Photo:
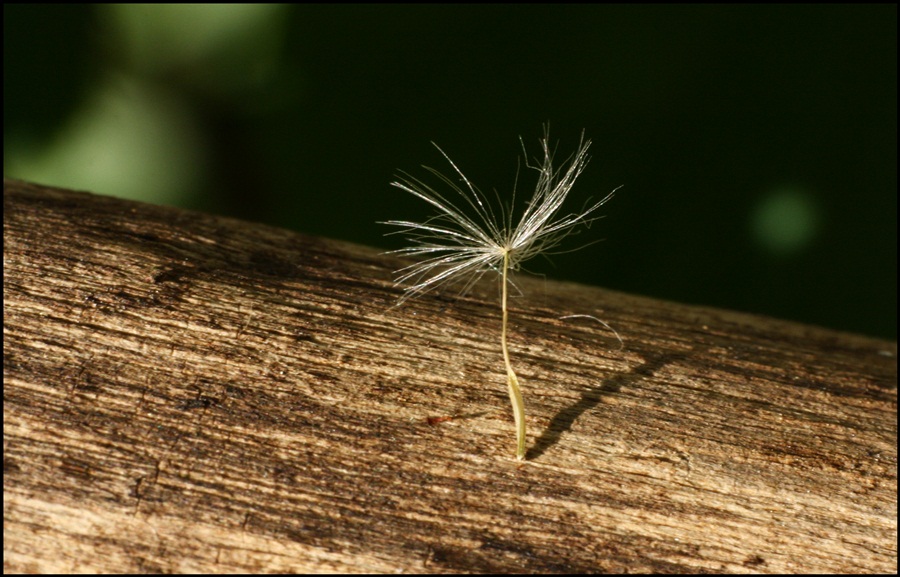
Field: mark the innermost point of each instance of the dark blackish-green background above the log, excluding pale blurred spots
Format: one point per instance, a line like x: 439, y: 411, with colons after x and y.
x: 702, y: 113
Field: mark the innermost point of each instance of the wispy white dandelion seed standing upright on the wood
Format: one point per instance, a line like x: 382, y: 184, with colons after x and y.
x: 470, y: 236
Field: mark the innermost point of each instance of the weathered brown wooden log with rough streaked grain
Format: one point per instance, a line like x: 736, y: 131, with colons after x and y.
x: 190, y: 393
